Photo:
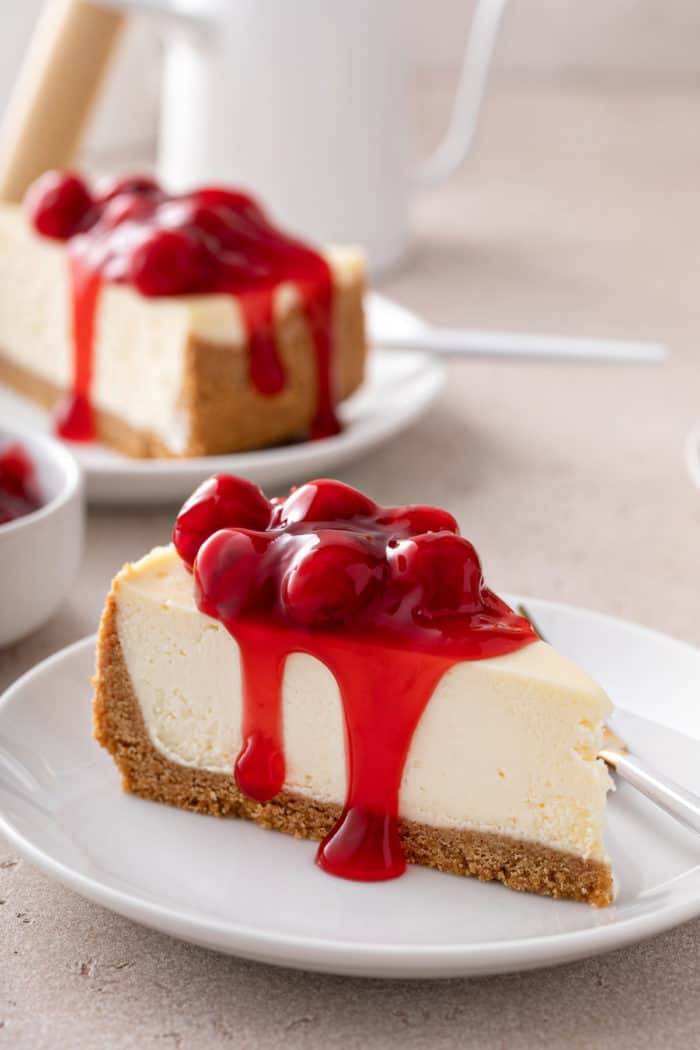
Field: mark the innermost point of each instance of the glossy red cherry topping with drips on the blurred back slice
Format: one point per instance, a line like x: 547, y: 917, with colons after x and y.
x: 211, y: 241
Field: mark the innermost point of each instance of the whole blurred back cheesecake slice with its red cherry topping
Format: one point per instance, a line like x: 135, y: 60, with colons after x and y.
x: 175, y: 326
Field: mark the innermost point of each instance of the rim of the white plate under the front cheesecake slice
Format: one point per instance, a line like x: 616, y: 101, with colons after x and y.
x: 363, y: 958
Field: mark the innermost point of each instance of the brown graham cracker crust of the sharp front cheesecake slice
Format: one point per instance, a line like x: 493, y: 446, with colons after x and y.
x: 120, y: 728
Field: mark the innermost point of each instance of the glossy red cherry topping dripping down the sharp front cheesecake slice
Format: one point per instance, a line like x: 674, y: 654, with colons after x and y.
x: 389, y: 599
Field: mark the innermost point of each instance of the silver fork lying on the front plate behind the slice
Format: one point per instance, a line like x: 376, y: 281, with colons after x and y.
x: 671, y: 797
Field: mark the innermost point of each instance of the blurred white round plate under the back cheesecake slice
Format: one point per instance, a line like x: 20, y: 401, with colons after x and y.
x: 399, y: 388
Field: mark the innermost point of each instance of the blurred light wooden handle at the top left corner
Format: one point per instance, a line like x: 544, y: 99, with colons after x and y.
x: 54, y: 94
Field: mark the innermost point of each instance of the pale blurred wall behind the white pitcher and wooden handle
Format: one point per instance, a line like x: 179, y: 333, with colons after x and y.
x: 634, y: 44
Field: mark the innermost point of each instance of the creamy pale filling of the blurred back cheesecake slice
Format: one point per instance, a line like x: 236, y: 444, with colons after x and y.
x: 141, y: 344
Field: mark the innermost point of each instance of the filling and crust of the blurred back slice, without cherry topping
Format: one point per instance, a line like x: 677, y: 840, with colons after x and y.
x: 208, y: 406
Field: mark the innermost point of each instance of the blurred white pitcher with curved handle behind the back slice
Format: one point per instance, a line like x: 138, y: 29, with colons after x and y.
x: 304, y: 103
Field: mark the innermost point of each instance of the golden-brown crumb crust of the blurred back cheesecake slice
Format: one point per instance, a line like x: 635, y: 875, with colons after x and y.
x: 224, y: 413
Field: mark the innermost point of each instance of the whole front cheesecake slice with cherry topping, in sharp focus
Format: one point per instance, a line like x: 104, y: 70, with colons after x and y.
x: 338, y: 671
